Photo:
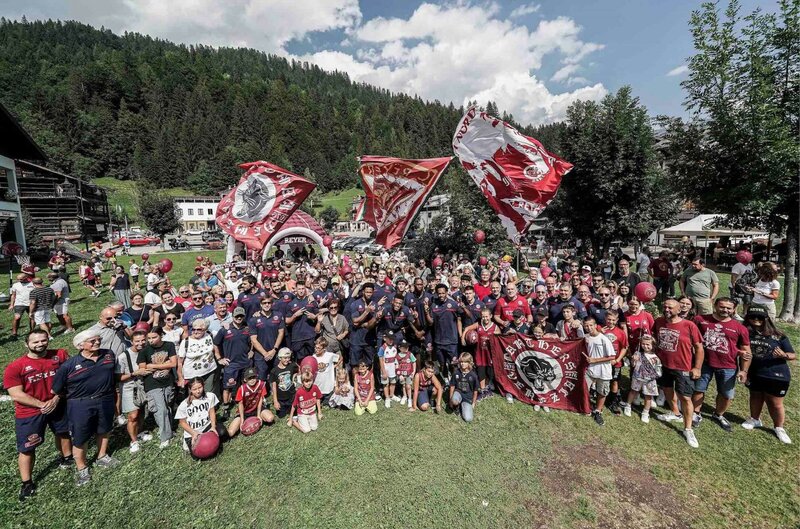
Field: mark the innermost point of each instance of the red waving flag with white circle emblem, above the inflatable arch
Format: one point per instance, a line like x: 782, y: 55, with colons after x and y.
x: 264, y: 199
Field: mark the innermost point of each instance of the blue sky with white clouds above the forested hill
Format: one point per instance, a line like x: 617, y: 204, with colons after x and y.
x: 532, y: 58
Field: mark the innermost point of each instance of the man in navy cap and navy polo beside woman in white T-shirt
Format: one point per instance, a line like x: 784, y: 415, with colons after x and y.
x: 232, y: 350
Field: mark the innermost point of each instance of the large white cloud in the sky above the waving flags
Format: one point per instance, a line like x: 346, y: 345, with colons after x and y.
x: 464, y: 52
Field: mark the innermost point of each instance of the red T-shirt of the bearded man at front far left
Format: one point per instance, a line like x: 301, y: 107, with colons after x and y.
x: 35, y: 375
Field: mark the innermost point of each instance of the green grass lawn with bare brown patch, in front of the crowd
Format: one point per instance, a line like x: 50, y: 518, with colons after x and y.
x: 512, y: 467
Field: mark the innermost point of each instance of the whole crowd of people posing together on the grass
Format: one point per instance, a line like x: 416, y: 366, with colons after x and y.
x: 284, y: 340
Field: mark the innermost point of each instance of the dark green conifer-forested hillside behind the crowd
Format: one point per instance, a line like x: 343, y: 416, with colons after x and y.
x: 134, y: 107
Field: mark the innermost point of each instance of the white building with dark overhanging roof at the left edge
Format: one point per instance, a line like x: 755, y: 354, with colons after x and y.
x: 16, y: 144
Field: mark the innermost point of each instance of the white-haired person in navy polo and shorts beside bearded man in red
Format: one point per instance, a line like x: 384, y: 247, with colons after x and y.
x: 87, y: 381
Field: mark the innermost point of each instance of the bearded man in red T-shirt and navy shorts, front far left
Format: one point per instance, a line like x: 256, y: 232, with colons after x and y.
x: 28, y: 380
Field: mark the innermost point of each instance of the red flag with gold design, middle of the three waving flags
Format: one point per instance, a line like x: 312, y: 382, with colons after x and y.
x: 396, y: 188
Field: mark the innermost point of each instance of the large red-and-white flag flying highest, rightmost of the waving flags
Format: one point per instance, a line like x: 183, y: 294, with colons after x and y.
x: 515, y: 173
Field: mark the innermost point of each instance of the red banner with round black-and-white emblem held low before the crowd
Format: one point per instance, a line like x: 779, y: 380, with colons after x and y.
x: 546, y: 372
